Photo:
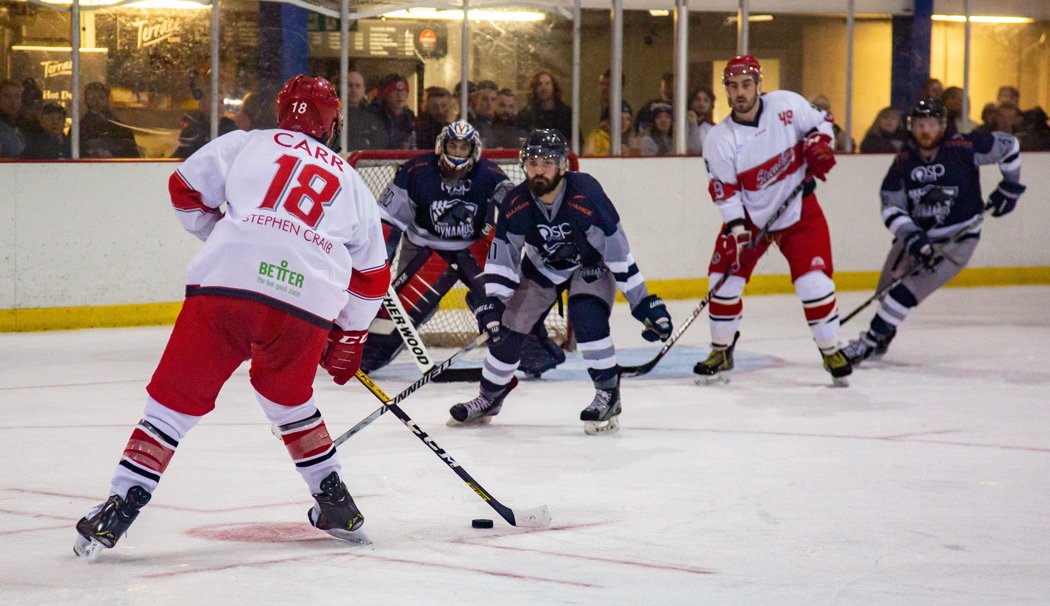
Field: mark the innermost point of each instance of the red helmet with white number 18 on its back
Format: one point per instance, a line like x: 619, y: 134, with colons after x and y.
x: 309, y: 106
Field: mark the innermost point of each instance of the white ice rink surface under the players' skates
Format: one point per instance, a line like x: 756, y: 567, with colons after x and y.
x: 925, y: 483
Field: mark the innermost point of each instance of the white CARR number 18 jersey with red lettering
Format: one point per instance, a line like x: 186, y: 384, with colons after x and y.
x: 301, y: 233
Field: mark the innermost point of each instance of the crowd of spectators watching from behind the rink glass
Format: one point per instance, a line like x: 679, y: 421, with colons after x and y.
x: 380, y: 117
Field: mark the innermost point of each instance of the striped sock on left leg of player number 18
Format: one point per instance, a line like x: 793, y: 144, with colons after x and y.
x: 151, y: 448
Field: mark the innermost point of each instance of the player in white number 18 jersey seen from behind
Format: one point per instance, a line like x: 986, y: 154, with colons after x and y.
x: 289, y: 277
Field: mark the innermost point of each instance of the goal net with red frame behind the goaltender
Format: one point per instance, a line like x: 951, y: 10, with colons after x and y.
x: 453, y: 325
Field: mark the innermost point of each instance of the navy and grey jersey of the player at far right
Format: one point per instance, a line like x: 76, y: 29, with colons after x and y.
x: 942, y: 194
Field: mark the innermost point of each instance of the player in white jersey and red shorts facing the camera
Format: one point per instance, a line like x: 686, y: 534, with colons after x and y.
x: 763, y: 156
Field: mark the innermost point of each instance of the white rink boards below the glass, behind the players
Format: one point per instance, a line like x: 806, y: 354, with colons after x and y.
x: 104, y: 234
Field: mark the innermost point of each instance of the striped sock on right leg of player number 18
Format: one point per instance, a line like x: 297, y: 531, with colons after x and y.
x: 303, y: 430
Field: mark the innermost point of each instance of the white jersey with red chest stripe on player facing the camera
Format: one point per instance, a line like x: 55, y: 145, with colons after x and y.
x: 755, y: 166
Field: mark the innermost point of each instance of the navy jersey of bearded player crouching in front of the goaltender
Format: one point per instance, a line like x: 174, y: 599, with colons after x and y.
x: 582, y: 229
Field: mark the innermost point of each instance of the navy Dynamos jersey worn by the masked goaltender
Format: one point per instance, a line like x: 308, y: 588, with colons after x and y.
x: 443, y: 214
